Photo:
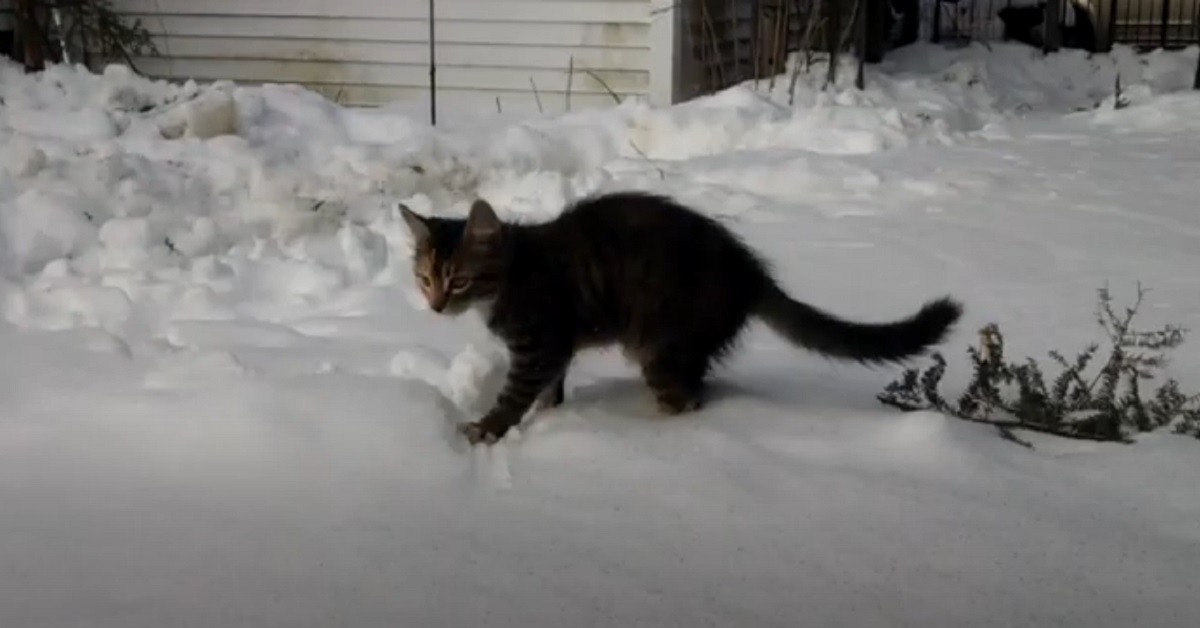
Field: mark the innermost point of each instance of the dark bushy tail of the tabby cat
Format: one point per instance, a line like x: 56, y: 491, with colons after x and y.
x: 868, y: 343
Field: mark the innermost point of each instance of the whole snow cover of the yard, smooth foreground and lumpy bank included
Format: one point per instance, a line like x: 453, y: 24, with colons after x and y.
x: 221, y: 404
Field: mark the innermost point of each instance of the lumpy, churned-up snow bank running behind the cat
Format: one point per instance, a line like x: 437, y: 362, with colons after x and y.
x: 136, y: 186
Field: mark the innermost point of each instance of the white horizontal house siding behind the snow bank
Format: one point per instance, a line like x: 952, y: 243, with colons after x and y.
x: 369, y: 52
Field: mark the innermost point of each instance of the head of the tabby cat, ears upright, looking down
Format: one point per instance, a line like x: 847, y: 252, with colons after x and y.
x: 457, y: 262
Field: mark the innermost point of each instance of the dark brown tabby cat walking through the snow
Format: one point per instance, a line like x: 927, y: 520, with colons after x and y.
x: 671, y: 286
